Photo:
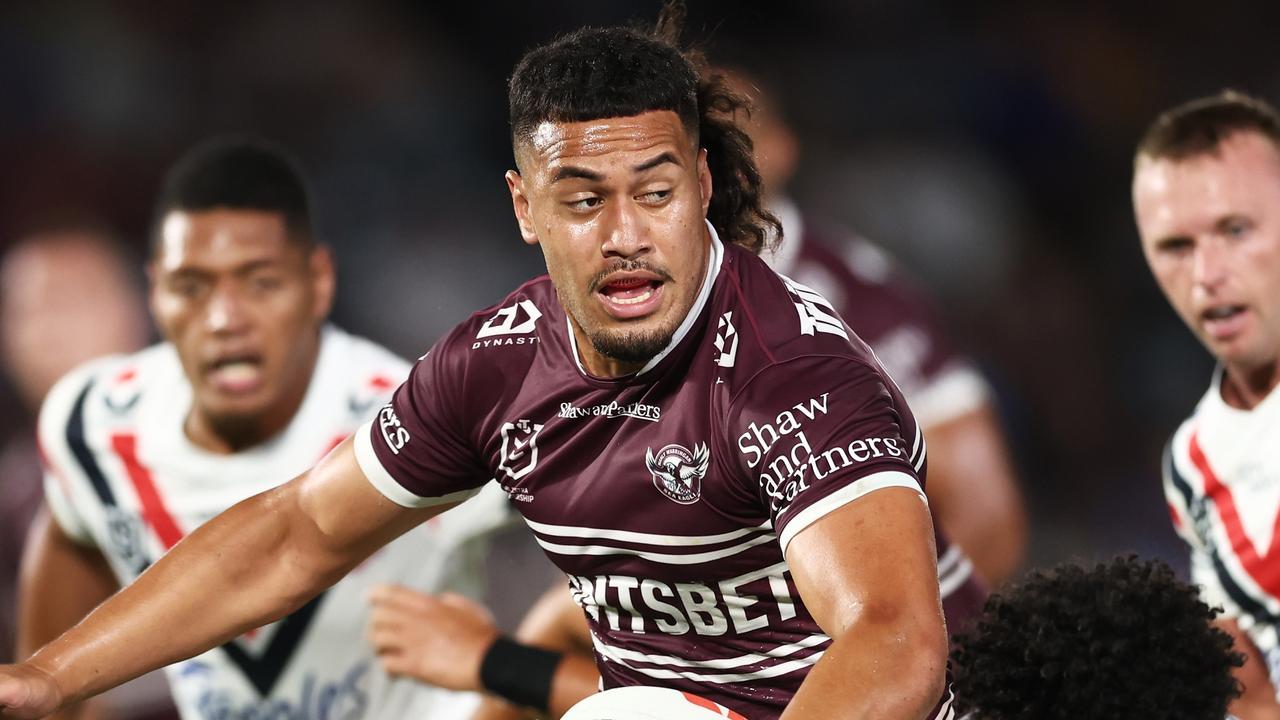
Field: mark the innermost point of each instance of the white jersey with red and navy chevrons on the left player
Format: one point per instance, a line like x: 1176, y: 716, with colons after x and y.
x: 124, y: 477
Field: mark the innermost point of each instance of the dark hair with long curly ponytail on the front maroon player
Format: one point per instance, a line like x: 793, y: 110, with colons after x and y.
x: 618, y: 72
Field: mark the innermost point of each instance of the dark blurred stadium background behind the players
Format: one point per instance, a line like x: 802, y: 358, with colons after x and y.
x: 988, y: 147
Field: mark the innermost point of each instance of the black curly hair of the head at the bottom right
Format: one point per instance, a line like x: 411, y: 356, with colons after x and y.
x: 1123, y: 641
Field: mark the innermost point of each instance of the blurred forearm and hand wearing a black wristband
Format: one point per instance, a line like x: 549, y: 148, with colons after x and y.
x: 447, y: 640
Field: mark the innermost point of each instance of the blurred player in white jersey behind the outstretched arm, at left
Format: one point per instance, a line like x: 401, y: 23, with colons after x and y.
x: 252, y: 388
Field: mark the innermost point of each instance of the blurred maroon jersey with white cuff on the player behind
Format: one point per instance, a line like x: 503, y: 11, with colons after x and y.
x: 899, y: 323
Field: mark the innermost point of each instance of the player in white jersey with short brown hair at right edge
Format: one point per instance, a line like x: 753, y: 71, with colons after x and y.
x: 1206, y: 194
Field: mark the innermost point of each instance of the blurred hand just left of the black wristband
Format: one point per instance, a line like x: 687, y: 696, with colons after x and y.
x: 438, y: 640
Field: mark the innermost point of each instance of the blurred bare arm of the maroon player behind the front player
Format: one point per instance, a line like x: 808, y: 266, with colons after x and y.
x: 975, y: 494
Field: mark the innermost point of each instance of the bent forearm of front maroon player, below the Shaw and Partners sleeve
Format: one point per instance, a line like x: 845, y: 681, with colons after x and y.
x: 884, y: 672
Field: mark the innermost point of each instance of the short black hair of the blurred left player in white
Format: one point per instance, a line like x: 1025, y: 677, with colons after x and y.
x: 239, y: 174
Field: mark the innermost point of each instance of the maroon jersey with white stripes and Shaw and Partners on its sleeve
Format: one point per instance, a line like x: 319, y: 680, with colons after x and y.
x: 669, y: 498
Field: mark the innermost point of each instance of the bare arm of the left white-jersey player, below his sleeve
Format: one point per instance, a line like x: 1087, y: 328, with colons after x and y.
x: 62, y: 581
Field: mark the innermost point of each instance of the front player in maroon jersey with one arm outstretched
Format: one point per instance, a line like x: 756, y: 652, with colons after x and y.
x: 732, y: 484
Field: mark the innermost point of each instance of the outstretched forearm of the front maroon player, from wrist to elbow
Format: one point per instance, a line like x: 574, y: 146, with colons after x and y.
x: 241, y: 571
